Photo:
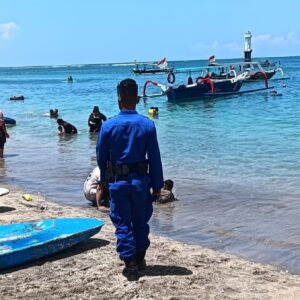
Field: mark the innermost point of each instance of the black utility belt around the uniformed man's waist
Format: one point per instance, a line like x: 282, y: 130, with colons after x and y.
x: 122, y: 171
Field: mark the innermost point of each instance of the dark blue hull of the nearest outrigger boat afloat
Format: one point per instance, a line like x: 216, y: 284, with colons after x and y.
x: 199, y: 91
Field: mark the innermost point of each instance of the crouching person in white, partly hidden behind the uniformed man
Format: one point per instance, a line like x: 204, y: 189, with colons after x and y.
x: 93, y: 193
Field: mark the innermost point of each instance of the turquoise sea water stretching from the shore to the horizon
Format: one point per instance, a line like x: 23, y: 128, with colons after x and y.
x: 234, y: 161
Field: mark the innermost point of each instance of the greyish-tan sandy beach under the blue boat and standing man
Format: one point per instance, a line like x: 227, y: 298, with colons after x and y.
x: 92, y: 270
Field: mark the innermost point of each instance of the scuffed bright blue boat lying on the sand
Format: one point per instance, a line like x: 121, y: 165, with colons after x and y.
x: 24, y: 242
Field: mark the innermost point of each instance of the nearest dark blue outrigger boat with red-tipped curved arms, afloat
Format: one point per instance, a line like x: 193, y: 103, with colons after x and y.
x: 224, y: 83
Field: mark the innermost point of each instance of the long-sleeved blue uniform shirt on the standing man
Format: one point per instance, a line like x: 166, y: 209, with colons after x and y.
x: 130, y: 138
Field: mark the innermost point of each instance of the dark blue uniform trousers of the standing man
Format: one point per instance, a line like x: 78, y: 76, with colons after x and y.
x: 131, y: 210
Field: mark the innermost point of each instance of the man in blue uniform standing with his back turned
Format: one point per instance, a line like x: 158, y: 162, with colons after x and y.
x: 129, y: 142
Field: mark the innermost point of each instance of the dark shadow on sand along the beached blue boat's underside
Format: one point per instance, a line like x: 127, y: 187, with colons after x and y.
x: 90, y: 244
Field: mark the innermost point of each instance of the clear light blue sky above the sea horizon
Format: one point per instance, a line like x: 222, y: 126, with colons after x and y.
x: 53, y: 32
